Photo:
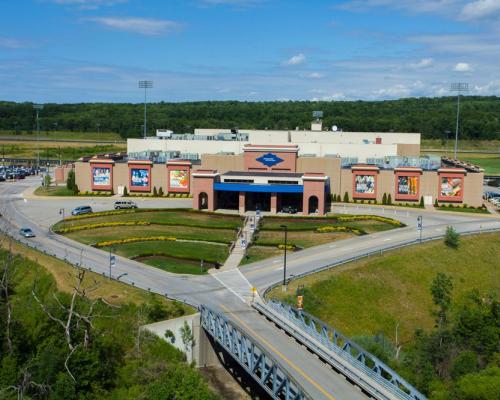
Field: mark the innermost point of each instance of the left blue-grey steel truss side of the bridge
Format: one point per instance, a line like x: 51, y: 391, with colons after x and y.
x: 252, y: 357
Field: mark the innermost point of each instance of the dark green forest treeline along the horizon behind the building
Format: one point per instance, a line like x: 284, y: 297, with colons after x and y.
x: 433, y: 117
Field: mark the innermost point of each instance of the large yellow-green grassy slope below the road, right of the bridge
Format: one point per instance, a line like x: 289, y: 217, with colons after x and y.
x: 371, y: 296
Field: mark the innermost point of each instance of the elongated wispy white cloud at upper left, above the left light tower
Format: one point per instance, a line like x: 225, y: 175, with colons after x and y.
x: 144, y: 26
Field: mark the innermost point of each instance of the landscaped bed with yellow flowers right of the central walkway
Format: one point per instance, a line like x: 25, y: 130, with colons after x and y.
x: 306, y: 232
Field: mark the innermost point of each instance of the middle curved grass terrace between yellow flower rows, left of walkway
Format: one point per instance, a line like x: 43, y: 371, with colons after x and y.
x: 93, y: 236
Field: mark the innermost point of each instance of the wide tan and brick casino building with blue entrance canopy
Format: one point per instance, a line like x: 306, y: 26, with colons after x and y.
x: 282, y: 170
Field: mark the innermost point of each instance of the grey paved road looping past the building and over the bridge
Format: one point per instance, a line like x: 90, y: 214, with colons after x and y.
x: 316, y: 378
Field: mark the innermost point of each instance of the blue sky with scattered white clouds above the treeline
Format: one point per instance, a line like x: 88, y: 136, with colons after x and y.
x: 251, y: 50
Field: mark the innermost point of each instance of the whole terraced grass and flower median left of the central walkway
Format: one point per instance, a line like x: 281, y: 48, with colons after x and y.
x: 175, y: 240
